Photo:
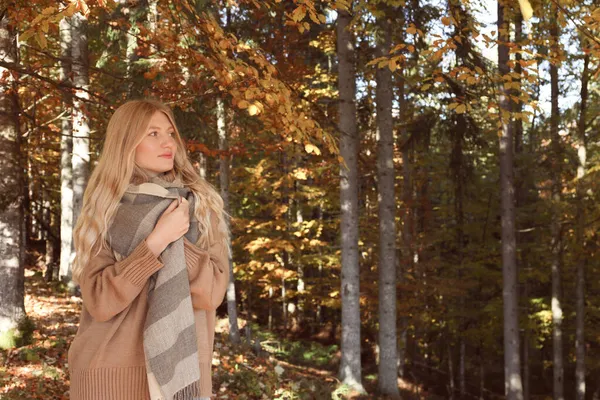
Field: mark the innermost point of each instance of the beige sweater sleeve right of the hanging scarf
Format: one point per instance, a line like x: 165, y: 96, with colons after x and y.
x: 208, y: 272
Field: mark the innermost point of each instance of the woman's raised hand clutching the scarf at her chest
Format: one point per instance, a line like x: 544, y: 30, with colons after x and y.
x: 172, y: 224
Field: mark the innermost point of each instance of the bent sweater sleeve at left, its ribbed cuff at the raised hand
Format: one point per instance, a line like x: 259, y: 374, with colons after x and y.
x: 109, y: 286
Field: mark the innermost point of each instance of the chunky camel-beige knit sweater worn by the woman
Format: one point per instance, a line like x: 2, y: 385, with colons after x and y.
x: 106, y: 359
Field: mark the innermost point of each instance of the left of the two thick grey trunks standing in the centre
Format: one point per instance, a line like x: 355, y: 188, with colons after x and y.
x: 350, y: 363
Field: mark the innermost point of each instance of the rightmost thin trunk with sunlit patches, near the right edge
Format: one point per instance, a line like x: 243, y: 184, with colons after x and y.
x: 581, y: 260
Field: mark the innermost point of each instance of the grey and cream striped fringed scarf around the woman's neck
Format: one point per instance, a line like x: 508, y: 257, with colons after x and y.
x: 169, y: 332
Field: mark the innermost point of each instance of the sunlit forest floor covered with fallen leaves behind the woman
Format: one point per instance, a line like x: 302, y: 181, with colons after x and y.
x: 282, y: 369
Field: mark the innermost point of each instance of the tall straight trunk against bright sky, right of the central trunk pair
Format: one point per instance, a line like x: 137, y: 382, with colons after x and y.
x: 512, y: 365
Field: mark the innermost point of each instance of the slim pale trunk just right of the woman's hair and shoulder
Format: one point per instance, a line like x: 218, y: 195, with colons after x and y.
x: 224, y: 166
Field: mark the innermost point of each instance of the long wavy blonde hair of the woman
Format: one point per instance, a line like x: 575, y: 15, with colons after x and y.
x: 116, y: 169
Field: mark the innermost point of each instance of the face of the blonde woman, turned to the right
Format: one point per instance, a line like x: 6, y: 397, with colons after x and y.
x: 156, y: 152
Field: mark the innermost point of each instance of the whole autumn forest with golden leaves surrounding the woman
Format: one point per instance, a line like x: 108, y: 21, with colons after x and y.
x: 411, y: 185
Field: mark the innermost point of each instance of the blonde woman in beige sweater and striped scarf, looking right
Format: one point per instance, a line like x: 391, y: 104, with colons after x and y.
x: 152, y: 264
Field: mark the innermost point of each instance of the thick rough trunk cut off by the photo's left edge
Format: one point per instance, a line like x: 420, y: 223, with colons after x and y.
x: 12, y: 307
